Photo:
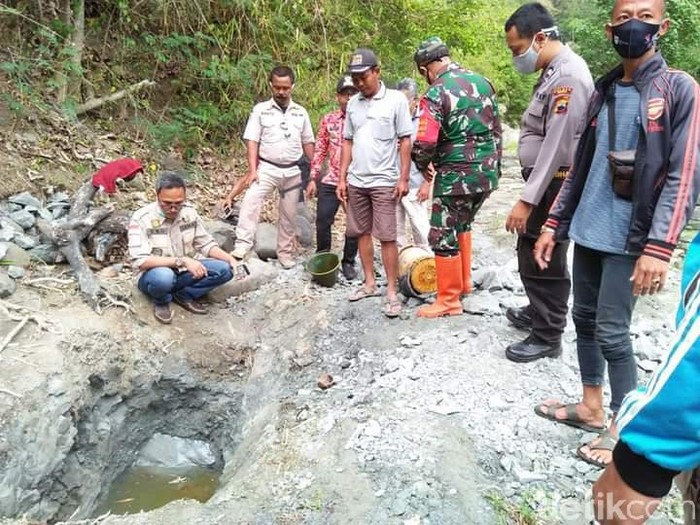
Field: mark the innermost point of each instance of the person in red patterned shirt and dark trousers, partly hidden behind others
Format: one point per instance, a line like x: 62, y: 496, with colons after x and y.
x: 323, y: 184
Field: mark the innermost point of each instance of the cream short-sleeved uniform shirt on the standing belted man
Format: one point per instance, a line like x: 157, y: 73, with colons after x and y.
x: 280, y: 134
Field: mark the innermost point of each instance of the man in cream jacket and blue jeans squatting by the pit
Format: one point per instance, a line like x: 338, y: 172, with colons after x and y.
x: 173, y: 256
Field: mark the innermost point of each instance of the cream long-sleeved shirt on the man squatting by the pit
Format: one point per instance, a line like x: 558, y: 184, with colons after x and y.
x: 151, y: 233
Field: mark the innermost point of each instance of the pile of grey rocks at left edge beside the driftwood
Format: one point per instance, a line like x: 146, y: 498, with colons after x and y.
x: 20, y: 238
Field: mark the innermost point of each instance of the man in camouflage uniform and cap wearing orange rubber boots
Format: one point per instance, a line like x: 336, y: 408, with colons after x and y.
x: 460, y: 134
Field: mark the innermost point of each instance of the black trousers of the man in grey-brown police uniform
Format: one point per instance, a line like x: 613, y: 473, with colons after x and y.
x: 548, y: 290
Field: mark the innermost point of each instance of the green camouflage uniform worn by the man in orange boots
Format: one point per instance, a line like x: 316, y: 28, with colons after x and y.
x: 460, y: 133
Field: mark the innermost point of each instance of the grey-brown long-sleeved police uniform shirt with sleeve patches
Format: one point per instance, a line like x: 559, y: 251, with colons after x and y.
x: 554, y: 120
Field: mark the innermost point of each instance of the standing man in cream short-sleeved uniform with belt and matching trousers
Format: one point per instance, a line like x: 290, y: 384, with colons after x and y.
x: 278, y: 133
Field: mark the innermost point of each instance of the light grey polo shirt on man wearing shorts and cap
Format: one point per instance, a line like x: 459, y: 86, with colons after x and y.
x: 375, y: 125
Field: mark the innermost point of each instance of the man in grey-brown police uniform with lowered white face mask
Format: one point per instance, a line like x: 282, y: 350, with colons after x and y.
x: 549, y: 133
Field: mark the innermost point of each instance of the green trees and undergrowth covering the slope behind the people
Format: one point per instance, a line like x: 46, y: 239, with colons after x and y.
x: 210, y: 58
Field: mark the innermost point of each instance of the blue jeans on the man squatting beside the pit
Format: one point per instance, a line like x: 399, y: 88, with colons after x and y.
x: 162, y: 283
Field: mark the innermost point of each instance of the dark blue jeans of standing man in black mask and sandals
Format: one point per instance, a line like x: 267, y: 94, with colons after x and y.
x: 603, y: 304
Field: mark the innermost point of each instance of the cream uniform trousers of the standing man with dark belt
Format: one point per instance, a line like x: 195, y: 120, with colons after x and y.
x: 289, y: 189
